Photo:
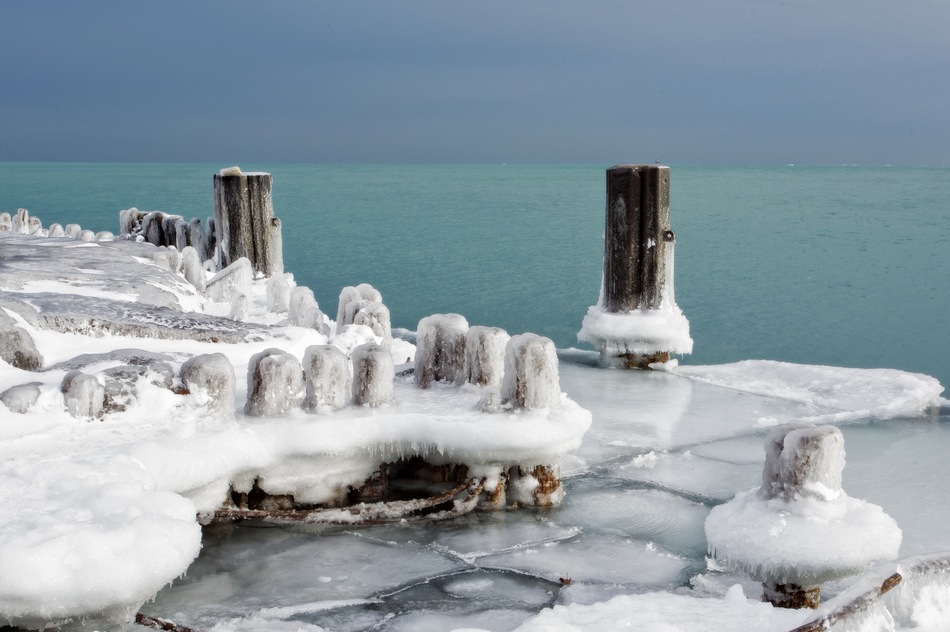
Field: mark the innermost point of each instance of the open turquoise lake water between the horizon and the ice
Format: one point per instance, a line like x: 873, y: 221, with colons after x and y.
x: 845, y: 266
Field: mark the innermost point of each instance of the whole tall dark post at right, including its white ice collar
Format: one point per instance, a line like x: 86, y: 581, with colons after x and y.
x: 636, y: 321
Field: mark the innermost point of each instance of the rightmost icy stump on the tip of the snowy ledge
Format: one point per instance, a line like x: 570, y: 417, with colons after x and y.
x: 531, y: 373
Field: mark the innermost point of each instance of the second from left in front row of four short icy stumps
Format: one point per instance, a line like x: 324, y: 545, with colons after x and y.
x: 274, y: 380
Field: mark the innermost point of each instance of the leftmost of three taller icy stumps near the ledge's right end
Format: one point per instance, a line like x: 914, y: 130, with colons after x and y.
x: 440, y: 349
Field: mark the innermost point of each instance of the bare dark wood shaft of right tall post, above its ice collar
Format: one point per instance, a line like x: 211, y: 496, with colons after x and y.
x: 637, y: 237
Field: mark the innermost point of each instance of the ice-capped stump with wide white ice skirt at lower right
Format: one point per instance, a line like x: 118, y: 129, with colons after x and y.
x: 799, y: 529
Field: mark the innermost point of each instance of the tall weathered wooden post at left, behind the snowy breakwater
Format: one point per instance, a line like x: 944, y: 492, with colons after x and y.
x: 245, y: 222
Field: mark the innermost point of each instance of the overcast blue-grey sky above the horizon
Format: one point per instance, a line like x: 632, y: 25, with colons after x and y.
x: 518, y: 81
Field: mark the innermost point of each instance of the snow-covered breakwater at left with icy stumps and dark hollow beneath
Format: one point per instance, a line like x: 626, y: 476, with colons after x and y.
x: 127, y: 418
